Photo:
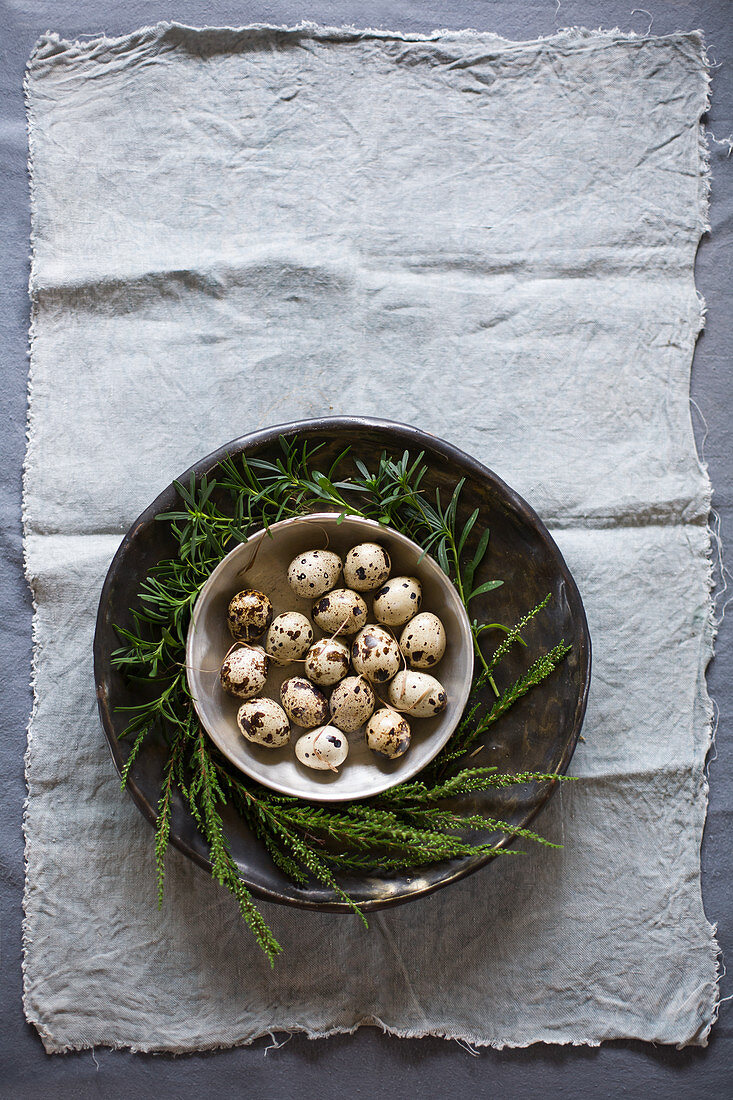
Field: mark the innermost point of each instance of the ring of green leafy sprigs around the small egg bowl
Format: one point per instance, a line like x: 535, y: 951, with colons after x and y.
x: 408, y: 827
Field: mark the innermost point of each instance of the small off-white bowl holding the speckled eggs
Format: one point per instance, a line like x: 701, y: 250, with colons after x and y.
x: 262, y: 564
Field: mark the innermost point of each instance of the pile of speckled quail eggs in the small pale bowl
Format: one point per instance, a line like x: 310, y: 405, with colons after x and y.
x: 355, y: 659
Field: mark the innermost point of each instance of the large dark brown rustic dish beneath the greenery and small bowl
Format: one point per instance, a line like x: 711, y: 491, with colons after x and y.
x: 539, y: 734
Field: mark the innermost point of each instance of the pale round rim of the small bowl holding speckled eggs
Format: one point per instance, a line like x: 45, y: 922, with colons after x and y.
x: 390, y: 780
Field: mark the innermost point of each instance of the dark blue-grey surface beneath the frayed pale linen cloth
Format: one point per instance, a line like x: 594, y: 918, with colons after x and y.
x: 367, y: 1064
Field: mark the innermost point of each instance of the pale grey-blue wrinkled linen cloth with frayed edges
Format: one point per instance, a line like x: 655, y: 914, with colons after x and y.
x: 491, y: 240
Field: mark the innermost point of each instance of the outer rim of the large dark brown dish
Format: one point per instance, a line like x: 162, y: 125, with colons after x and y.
x: 408, y: 436
